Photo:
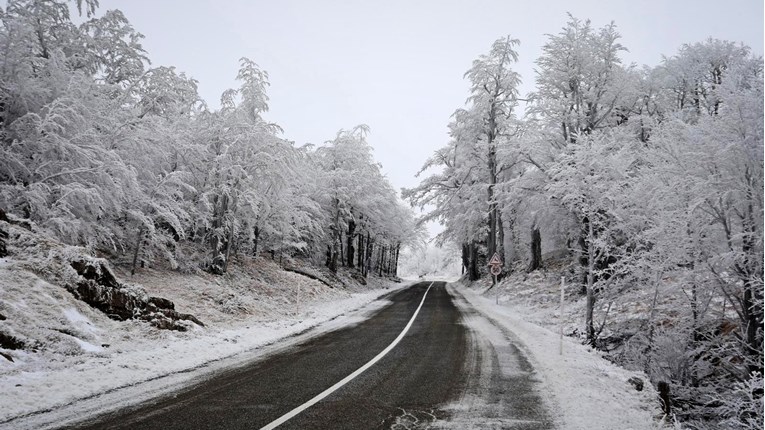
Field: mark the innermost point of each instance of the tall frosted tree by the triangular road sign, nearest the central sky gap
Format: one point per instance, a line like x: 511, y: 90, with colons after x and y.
x: 471, y: 162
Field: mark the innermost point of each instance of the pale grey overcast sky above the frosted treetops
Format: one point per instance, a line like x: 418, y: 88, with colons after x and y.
x: 398, y: 65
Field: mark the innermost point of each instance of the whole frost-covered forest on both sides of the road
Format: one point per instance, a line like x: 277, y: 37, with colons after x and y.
x: 649, y: 178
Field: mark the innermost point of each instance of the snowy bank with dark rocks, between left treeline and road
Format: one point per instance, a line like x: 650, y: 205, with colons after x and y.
x: 58, y: 350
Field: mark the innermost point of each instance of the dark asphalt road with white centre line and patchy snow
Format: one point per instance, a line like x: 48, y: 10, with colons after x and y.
x: 452, y: 369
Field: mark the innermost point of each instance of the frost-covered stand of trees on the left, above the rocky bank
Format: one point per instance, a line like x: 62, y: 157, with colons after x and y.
x: 104, y: 151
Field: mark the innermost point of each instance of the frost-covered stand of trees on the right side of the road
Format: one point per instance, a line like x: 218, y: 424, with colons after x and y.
x: 650, y: 178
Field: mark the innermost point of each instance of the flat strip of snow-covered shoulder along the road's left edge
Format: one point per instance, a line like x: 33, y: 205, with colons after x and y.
x: 67, y: 396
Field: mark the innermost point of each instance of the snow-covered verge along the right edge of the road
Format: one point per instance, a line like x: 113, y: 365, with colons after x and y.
x: 588, y: 391
